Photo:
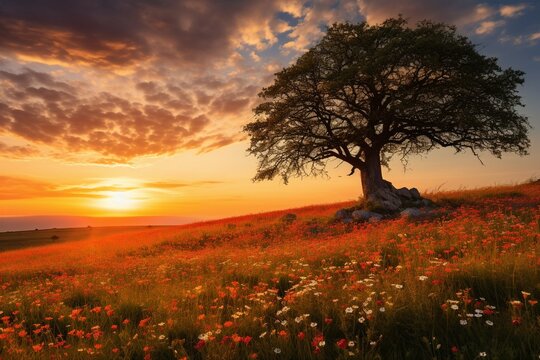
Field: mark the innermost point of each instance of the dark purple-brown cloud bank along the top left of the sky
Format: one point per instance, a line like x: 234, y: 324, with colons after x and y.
x: 122, y: 33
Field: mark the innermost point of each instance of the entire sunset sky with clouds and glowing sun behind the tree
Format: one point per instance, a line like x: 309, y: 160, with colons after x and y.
x: 136, y: 108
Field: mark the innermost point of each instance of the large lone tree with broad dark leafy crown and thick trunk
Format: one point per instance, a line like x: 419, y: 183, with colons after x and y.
x: 365, y: 93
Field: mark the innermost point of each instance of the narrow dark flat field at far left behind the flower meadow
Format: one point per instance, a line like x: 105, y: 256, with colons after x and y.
x: 12, y: 240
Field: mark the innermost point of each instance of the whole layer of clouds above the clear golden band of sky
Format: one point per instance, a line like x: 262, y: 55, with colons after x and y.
x: 113, y: 81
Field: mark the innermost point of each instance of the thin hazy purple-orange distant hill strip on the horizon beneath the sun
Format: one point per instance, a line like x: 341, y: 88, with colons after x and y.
x: 18, y: 223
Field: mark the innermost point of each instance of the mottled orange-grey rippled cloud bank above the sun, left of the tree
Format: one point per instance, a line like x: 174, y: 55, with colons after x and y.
x: 36, y: 108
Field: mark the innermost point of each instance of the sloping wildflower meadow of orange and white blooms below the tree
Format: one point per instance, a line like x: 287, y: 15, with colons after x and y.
x: 461, y: 282
